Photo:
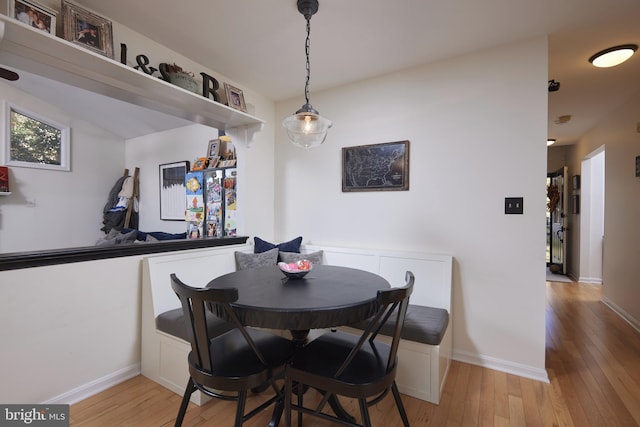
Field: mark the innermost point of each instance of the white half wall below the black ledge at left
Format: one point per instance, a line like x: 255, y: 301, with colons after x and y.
x: 69, y: 329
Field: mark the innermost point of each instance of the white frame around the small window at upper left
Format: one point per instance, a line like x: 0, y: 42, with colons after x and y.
x: 65, y: 149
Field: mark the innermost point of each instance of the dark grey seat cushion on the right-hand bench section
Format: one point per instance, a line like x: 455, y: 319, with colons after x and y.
x: 422, y: 324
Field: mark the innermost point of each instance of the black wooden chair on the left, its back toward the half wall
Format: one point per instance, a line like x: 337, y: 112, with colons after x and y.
x: 227, y: 366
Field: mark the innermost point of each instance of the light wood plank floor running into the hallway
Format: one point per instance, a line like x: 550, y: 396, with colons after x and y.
x: 592, y: 357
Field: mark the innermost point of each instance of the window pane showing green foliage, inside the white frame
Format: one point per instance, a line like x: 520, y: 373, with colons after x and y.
x: 34, y: 141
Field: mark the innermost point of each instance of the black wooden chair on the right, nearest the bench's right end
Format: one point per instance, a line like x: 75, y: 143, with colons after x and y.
x: 355, y: 366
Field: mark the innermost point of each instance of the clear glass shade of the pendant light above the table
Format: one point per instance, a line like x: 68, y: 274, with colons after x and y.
x: 306, y: 128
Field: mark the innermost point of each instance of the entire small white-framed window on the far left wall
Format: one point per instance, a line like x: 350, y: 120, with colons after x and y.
x: 35, y: 142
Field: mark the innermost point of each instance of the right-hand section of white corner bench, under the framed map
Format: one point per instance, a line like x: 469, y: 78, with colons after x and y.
x: 427, y: 340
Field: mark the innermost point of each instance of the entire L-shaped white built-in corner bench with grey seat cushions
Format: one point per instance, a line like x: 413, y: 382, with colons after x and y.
x: 425, y: 348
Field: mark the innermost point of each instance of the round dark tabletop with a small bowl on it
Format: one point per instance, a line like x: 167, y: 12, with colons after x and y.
x: 326, y: 297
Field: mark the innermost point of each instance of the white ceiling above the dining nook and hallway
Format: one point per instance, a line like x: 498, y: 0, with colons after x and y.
x: 260, y: 43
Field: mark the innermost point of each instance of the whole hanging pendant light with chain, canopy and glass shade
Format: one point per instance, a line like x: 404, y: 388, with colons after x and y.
x: 307, y: 128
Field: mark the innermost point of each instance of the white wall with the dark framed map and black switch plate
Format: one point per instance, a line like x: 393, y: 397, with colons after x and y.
x: 477, y: 126
